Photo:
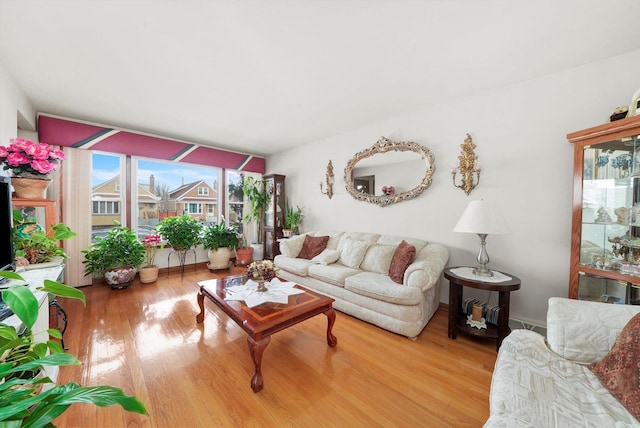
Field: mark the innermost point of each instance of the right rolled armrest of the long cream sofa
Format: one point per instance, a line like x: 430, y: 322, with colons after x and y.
x: 426, y: 269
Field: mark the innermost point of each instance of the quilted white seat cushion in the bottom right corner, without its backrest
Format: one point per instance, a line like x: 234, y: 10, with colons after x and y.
x: 534, y: 387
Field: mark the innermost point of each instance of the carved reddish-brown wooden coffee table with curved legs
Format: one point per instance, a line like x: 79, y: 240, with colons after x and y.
x: 260, y: 322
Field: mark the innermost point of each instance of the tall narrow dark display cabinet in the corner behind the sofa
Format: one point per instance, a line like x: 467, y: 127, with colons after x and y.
x: 274, y: 215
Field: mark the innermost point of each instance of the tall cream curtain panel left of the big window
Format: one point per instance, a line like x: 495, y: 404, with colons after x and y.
x: 76, y: 211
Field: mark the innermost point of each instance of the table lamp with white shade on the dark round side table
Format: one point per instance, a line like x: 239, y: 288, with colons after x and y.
x: 482, y: 218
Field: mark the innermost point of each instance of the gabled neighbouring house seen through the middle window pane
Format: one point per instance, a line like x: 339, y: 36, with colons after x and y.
x: 197, y: 199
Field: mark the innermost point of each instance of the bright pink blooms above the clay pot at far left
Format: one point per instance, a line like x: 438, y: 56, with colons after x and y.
x: 28, y: 159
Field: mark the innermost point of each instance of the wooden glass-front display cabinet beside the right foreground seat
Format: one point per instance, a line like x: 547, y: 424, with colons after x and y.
x: 605, y: 232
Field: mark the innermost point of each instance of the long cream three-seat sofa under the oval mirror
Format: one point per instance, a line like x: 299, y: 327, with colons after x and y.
x: 367, y: 292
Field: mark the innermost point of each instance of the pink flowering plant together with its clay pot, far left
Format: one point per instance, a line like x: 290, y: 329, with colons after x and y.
x: 31, y: 165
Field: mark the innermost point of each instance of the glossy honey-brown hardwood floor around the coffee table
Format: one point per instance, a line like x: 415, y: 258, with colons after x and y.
x: 145, y: 340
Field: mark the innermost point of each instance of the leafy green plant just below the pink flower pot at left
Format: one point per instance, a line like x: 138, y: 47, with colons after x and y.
x: 34, y: 245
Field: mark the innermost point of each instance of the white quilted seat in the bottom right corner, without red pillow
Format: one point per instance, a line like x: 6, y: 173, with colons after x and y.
x: 538, y: 383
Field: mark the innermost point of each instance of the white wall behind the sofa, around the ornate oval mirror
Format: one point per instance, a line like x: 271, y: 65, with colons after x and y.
x: 526, y: 170
